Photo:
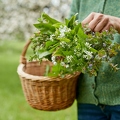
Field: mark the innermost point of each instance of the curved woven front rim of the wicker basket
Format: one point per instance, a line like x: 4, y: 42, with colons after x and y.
x: 42, y: 78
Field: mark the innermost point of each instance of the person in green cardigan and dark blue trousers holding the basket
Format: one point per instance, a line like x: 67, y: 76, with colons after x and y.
x: 98, y: 97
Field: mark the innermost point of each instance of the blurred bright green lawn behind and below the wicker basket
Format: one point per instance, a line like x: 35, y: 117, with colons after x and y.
x: 13, y: 105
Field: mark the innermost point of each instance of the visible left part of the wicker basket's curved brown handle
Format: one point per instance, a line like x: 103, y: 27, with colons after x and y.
x: 22, y: 57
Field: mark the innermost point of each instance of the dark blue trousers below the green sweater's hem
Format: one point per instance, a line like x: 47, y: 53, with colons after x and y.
x: 98, y: 112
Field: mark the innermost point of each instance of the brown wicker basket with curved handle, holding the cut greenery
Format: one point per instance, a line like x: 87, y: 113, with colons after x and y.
x: 45, y: 93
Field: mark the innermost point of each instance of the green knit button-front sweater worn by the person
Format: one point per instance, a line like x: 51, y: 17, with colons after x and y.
x: 105, y: 87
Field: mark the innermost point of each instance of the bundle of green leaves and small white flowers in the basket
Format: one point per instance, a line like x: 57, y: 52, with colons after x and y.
x: 70, y: 47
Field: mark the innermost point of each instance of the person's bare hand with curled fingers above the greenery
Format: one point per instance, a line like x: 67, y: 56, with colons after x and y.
x: 98, y: 22
